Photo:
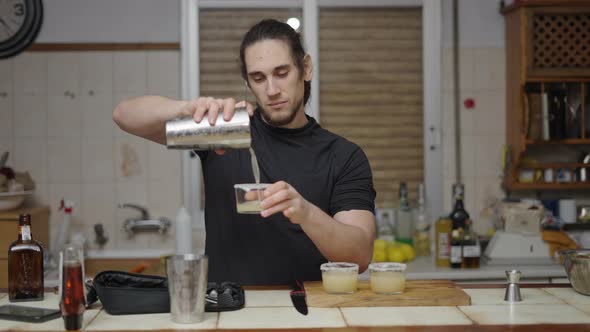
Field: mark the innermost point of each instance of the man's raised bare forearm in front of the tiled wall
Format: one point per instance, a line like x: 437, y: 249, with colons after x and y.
x: 146, y: 116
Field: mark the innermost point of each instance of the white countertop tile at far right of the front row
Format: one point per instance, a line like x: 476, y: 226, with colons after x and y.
x: 525, y: 314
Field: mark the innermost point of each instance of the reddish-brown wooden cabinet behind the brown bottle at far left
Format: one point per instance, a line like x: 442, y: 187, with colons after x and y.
x: 9, y: 233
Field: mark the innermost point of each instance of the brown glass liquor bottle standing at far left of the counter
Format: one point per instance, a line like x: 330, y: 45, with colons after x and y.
x: 25, y: 265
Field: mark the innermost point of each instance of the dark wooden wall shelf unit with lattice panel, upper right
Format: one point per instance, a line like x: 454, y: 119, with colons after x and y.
x: 548, y: 95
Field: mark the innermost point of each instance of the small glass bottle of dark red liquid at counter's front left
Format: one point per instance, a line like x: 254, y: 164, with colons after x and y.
x: 73, y: 300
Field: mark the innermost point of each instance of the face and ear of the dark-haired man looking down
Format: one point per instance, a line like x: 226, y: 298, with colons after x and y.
x: 276, y: 82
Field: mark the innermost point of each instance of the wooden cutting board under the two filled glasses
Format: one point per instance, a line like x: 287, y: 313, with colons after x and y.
x: 417, y: 293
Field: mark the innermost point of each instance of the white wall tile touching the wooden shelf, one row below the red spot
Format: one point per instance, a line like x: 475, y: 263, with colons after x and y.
x: 488, y: 155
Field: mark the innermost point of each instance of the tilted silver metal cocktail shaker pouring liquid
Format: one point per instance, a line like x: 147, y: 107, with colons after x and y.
x: 185, y: 133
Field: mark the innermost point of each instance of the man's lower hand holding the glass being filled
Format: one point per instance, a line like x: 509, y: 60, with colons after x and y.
x: 282, y: 197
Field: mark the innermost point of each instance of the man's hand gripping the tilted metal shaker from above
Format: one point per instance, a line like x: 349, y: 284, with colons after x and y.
x: 210, y: 107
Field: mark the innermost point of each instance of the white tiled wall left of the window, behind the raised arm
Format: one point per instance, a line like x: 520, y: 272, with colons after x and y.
x: 56, y: 121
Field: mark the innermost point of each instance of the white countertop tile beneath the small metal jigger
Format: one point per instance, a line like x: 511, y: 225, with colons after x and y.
x: 496, y: 296
